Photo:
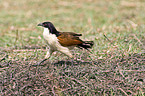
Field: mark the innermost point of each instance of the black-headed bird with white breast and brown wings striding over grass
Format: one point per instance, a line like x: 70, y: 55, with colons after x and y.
x: 62, y: 41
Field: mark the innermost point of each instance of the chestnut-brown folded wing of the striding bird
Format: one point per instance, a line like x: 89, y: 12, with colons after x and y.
x: 69, y: 39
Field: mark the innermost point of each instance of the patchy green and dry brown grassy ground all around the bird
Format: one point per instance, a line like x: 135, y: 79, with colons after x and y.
x: 116, y: 66
